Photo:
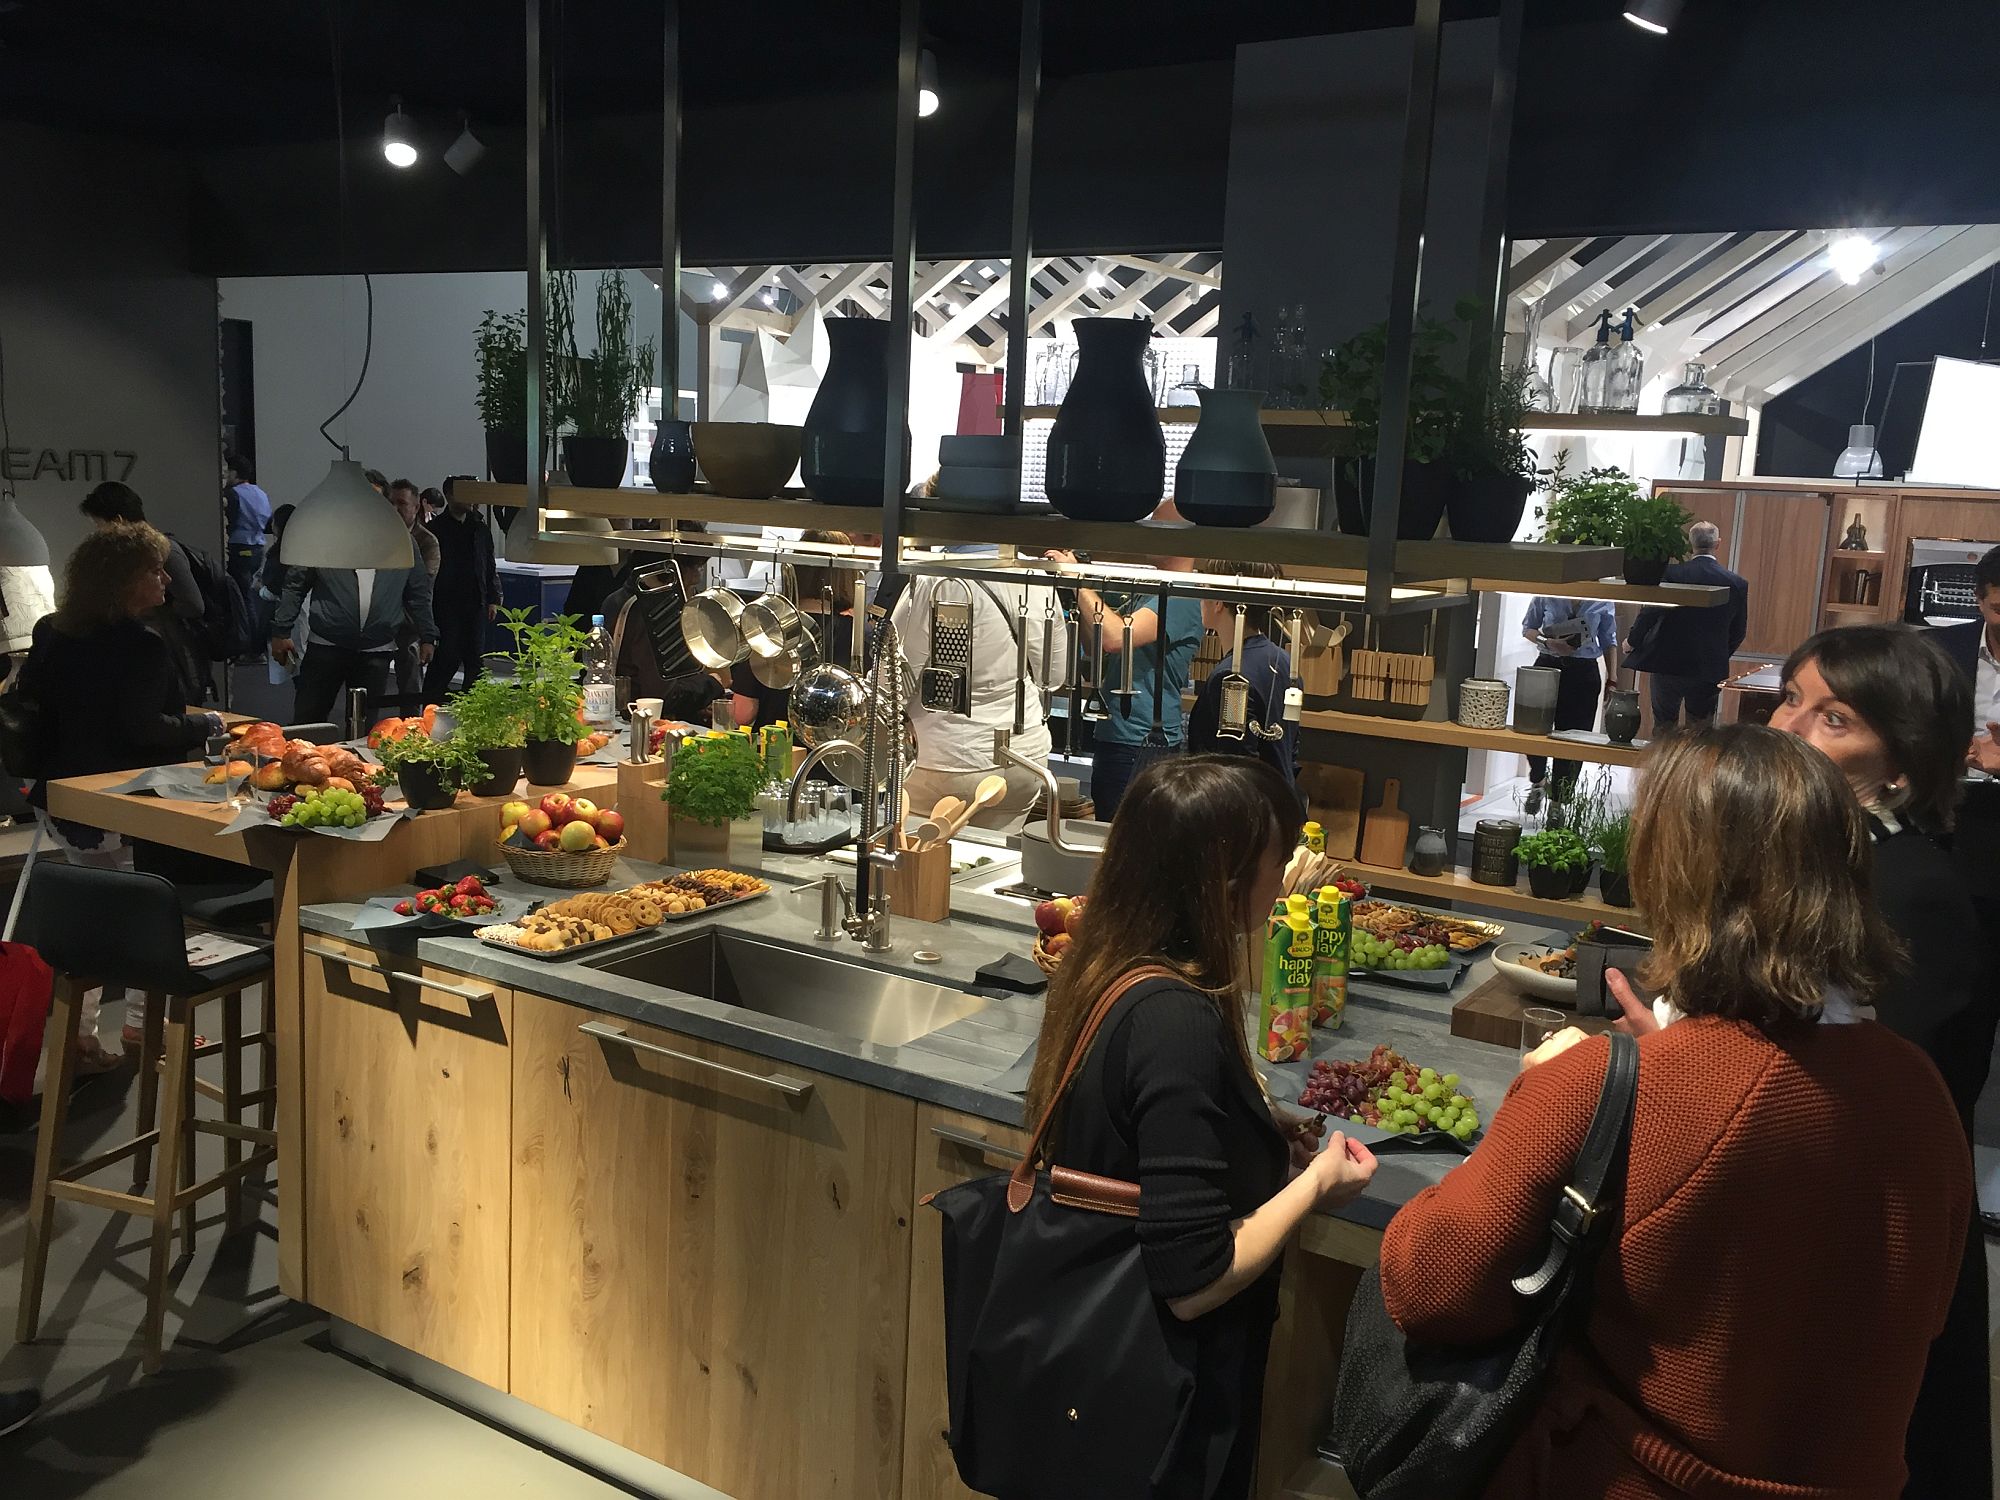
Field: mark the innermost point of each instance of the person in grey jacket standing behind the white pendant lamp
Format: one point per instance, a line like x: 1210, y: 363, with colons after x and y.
x: 353, y: 635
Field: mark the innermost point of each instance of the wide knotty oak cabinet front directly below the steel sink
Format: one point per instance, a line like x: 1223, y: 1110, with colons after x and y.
x: 711, y: 1257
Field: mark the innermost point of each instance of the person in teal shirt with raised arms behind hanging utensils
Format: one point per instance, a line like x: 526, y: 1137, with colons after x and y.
x: 1159, y: 653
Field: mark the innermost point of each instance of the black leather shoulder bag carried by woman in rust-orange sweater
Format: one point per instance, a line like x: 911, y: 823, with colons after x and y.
x: 1415, y: 1423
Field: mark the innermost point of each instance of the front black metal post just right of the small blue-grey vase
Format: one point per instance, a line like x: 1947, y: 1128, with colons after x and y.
x: 1407, y: 287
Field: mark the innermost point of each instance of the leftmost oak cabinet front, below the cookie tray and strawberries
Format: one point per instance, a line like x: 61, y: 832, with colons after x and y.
x: 409, y: 1097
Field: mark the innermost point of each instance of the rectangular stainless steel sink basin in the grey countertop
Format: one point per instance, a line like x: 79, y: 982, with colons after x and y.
x: 813, y: 989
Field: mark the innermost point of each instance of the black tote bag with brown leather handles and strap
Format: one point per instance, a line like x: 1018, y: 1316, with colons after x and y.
x: 1065, y: 1373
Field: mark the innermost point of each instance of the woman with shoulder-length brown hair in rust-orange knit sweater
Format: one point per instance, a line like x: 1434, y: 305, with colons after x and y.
x: 1797, y: 1195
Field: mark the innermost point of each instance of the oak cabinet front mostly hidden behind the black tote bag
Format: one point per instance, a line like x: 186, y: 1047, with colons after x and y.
x: 949, y: 1149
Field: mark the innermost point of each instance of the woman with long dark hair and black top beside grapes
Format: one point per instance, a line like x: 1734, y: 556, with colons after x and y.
x: 1169, y: 1095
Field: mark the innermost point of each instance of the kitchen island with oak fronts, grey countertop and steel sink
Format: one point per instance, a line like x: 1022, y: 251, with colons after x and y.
x: 667, y: 1201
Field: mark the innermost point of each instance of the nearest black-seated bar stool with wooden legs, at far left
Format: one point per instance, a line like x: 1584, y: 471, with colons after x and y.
x: 109, y: 927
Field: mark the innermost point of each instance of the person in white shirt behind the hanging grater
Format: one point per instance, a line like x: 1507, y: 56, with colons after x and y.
x: 957, y: 751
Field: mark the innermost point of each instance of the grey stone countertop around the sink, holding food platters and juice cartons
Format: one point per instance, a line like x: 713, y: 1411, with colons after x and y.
x: 977, y: 1063
